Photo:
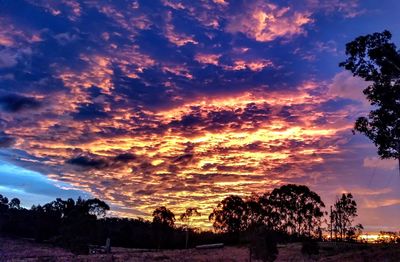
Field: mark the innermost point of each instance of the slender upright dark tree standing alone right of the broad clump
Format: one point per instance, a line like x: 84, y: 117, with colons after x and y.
x: 343, y: 214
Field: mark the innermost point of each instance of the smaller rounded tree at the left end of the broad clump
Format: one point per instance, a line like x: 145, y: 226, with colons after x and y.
x: 229, y: 215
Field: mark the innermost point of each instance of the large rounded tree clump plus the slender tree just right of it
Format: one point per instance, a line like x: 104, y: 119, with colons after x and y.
x: 294, y: 210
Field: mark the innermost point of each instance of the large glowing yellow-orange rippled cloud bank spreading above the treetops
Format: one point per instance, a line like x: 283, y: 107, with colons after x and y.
x: 196, y: 153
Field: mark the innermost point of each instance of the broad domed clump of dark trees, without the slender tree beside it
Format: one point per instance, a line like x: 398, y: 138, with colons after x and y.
x: 293, y: 209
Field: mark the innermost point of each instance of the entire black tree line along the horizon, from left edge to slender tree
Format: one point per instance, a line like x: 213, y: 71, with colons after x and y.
x: 292, y: 211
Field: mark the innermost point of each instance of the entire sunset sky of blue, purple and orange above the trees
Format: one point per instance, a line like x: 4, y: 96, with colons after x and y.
x: 182, y: 103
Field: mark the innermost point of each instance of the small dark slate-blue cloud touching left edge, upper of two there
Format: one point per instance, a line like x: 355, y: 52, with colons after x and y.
x: 15, y: 103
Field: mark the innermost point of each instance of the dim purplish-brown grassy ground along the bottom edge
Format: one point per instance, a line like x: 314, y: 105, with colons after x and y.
x: 27, y: 250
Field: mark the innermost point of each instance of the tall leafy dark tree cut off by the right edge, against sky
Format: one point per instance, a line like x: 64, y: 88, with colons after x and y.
x: 376, y: 59
